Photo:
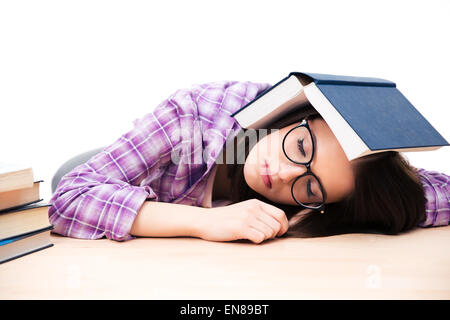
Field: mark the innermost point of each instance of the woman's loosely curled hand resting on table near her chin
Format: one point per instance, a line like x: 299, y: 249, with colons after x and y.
x: 252, y: 219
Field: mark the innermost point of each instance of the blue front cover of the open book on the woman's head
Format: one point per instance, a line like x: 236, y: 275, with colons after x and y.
x: 378, y: 112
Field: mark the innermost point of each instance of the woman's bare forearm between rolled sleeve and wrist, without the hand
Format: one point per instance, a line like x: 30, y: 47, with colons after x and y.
x: 160, y: 219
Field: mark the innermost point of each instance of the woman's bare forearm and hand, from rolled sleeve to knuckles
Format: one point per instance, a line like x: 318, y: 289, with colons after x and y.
x: 251, y: 219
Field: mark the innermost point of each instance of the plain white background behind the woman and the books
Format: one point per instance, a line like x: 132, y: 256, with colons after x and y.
x: 75, y: 74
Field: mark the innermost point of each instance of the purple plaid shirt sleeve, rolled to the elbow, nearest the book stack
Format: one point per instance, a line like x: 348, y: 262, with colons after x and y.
x: 103, y: 196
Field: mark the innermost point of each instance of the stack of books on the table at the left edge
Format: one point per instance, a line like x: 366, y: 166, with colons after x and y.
x: 24, y: 224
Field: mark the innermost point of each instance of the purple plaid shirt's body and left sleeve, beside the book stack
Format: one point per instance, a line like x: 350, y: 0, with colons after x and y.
x: 102, y: 196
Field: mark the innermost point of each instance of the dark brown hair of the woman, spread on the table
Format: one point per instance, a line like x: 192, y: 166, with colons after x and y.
x: 388, y: 196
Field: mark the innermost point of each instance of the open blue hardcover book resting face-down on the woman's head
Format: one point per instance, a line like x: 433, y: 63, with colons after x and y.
x: 366, y: 115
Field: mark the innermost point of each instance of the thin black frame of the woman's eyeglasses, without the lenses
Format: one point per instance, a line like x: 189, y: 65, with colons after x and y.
x: 308, y: 172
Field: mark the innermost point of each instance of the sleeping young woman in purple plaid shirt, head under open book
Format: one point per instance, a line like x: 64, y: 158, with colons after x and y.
x: 189, y: 169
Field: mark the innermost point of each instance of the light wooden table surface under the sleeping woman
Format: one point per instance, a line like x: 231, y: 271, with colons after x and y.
x: 415, y: 265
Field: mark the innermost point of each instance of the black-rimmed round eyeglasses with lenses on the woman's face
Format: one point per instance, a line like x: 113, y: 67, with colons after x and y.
x: 298, y: 146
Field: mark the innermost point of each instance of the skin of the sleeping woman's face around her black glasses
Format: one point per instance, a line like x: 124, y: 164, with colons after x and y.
x: 330, y: 164
